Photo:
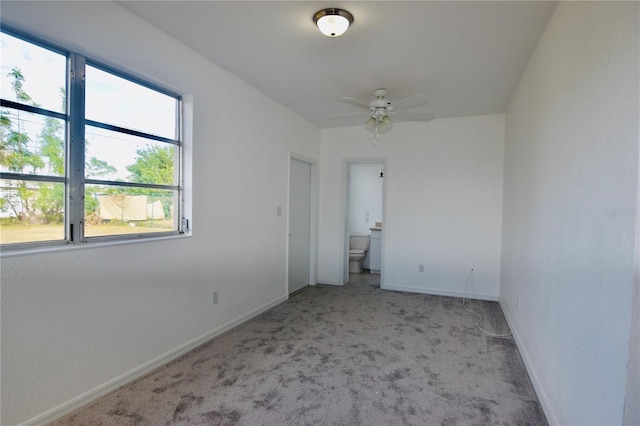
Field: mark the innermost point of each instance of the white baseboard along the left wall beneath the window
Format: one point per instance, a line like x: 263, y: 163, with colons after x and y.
x: 95, y: 393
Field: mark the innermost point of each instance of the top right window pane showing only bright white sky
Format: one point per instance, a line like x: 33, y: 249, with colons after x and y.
x: 114, y: 100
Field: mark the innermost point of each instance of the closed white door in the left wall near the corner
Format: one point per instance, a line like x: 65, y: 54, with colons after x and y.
x: 299, y: 225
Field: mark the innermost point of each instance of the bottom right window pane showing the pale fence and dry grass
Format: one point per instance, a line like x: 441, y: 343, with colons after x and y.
x: 113, y: 210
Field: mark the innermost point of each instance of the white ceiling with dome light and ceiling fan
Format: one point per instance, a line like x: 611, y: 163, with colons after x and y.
x: 466, y: 57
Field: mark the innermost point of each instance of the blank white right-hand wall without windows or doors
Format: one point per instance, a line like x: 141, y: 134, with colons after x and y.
x: 571, y: 182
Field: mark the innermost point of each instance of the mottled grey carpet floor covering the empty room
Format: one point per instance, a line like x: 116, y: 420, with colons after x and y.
x: 352, y: 355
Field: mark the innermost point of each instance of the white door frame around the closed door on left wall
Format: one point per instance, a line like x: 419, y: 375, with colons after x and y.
x: 313, y: 217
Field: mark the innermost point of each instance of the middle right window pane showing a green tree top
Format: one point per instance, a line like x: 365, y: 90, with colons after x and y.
x: 120, y: 157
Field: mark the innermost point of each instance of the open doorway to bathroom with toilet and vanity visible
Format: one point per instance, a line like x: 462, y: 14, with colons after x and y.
x: 365, y: 207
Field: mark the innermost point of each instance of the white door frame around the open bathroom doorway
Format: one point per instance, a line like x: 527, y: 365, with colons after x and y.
x: 344, y: 224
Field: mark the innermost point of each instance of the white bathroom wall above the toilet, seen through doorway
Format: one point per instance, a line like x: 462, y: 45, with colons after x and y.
x: 365, y: 197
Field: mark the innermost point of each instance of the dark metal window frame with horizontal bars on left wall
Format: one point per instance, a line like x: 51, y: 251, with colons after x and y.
x: 74, y: 178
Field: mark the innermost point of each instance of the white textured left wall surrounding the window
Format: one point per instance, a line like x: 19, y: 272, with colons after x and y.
x: 75, y: 320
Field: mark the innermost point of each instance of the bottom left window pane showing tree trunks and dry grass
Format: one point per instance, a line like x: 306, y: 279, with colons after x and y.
x: 31, y: 211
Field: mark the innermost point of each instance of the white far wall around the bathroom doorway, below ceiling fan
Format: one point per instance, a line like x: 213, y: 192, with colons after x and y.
x: 442, y: 208
